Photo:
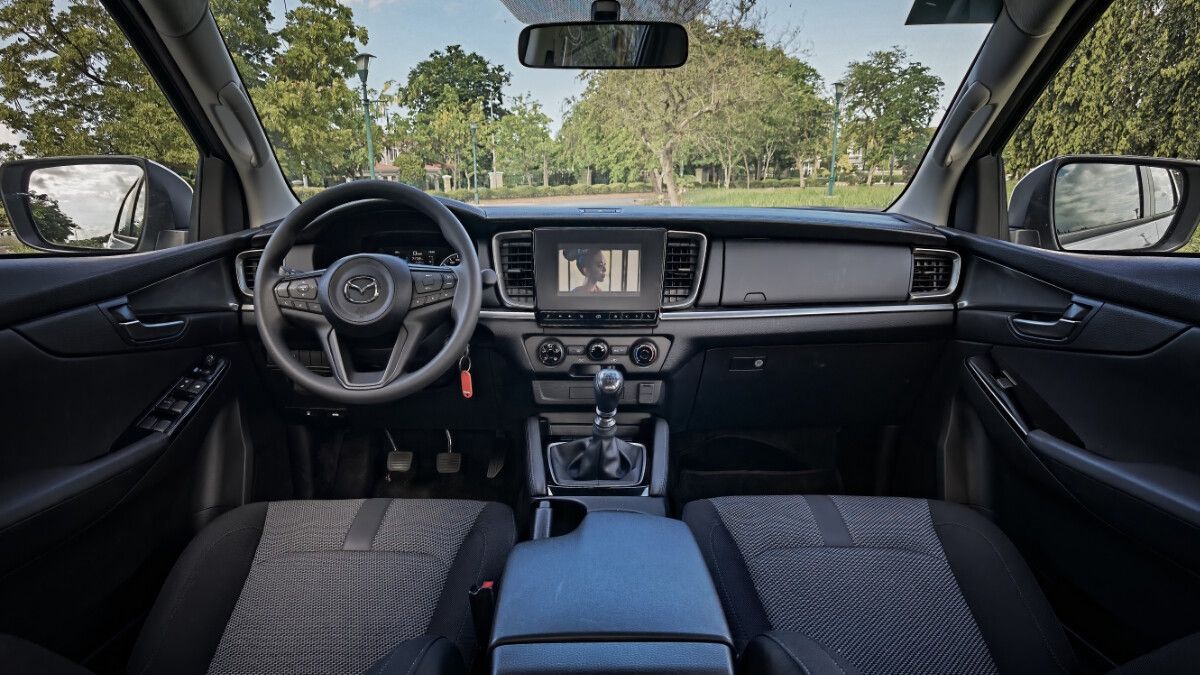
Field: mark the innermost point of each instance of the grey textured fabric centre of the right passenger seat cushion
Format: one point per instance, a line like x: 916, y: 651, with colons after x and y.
x: 886, y: 599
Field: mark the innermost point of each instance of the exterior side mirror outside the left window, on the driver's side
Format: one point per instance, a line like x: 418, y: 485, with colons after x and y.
x: 100, y: 204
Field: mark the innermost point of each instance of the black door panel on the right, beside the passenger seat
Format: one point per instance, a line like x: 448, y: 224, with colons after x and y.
x: 1087, y: 392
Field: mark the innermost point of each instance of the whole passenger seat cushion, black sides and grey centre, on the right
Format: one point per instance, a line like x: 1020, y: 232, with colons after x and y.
x: 844, y: 584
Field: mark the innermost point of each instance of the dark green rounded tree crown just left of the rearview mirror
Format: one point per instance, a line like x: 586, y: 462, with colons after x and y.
x: 470, y: 76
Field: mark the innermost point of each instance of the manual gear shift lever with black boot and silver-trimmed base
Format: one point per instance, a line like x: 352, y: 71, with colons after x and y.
x: 602, y: 457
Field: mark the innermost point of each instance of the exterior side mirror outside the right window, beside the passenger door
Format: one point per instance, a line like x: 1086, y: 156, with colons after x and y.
x: 1107, y: 204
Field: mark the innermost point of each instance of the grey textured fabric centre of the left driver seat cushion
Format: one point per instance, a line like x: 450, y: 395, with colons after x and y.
x: 315, y: 602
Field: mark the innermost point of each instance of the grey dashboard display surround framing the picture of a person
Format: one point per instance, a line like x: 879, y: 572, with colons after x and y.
x: 548, y: 242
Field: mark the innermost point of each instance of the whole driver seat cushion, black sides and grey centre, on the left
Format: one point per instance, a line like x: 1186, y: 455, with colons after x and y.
x: 327, y: 587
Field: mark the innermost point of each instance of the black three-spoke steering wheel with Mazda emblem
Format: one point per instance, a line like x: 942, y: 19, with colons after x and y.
x: 369, y: 296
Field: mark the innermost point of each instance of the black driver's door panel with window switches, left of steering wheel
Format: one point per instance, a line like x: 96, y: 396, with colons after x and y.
x: 95, y: 499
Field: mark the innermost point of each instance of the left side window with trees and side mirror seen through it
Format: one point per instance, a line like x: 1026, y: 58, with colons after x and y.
x: 94, y: 157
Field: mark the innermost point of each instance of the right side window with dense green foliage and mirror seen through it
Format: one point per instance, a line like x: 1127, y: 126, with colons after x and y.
x: 1077, y: 166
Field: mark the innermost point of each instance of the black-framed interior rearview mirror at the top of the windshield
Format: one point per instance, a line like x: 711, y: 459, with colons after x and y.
x: 608, y: 45
